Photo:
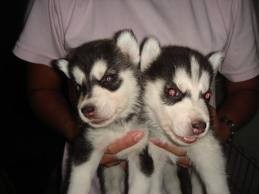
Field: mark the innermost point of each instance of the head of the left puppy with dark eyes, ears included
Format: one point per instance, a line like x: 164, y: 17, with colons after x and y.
x: 104, y: 72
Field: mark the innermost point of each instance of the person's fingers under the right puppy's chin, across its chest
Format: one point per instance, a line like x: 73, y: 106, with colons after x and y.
x: 183, y: 160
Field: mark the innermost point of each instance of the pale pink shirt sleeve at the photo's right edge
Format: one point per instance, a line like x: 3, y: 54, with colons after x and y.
x: 241, y: 59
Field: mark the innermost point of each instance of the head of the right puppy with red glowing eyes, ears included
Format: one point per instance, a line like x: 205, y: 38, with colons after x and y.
x: 177, y: 89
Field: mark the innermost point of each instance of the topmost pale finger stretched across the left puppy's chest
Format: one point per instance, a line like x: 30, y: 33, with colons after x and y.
x: 128, y: 140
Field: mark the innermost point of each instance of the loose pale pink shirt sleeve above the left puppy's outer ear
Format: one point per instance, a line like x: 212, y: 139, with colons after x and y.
x: 42, y: 38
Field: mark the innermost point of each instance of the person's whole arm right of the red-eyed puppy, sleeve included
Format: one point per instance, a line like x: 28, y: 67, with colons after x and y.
x: 240, y: 68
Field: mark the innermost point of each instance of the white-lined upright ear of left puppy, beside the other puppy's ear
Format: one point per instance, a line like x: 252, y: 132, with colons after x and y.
x: 127, y: 43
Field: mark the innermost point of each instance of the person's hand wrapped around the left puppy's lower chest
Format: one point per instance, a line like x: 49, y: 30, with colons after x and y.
x: 109, y: 158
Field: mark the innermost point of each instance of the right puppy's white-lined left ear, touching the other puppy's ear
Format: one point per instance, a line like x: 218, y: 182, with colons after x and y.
x: 150, y: 51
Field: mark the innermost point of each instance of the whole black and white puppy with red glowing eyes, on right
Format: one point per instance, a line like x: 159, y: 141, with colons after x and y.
x: 176, y: 96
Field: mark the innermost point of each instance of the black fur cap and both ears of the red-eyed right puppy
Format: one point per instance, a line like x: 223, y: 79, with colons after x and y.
x: 161, y: 61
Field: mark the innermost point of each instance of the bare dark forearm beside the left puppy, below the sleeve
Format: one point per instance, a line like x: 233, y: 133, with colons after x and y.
x: 48, y: 100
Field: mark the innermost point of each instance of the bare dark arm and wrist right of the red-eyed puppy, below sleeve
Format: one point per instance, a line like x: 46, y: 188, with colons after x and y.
x: 239, y: 105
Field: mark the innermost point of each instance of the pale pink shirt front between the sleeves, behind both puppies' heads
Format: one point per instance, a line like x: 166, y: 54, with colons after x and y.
x: 198, y: 24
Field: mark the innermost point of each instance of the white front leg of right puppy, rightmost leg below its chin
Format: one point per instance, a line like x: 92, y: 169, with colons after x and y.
x: 207, y: 158
